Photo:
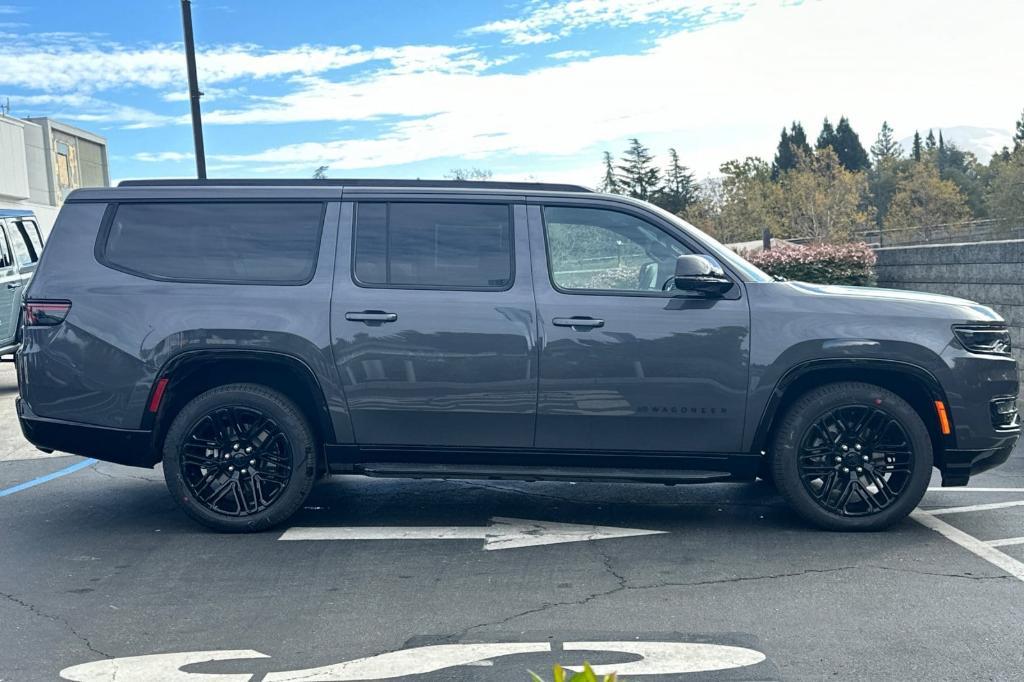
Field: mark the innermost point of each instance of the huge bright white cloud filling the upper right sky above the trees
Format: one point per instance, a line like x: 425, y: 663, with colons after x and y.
x: 716, y: 94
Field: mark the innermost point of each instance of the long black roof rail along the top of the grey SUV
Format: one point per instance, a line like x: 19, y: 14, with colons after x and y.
x: 357, y: 183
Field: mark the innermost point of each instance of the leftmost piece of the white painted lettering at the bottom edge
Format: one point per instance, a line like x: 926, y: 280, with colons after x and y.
x: 163, y: 667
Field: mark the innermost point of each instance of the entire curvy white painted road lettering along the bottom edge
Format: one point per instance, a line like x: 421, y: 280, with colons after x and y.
x: 657, y: 659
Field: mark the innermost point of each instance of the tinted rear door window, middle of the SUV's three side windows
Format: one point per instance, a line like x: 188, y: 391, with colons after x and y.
x: 459, y: 246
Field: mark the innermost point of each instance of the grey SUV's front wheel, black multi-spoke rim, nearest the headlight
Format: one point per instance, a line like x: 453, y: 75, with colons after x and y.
x: 852, y: 457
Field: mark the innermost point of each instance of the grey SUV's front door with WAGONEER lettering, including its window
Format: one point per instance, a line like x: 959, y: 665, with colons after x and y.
x: 626, y: 366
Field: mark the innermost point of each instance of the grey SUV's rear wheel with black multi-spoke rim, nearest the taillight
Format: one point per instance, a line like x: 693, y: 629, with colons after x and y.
x: 240, y: 458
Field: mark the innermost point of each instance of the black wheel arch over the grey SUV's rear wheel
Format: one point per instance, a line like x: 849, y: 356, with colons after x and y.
x: 194, y: 372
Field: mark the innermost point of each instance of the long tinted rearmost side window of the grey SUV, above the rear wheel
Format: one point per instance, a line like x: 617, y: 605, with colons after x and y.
x: 220, y: 242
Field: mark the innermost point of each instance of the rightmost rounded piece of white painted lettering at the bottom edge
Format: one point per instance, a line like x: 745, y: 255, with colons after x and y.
x: 668, y: 658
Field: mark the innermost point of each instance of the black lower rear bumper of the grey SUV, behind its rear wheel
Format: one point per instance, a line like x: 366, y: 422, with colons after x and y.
x: 131, y: 447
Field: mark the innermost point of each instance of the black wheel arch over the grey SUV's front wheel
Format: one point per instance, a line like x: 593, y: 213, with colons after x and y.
x: 913, y: 383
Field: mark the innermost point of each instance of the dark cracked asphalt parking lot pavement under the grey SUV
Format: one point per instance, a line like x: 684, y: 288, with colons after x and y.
x: 102, y: 578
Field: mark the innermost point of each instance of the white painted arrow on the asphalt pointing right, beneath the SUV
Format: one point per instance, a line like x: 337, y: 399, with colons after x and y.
x: 502, y: 534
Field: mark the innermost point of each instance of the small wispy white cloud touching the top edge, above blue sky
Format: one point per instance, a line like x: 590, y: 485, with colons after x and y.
x: 549, y: 21
